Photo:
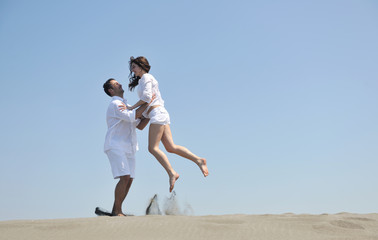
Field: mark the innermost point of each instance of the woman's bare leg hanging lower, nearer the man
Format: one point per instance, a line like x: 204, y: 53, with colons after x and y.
x: 154, y: 137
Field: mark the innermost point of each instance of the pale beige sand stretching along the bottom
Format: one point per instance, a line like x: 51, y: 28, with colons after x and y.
x: 277, y: 227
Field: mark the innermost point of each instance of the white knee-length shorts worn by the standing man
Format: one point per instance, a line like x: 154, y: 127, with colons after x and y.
x: 122, y: 163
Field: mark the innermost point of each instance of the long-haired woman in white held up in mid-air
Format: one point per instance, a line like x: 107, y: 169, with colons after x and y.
x: 159, y: 119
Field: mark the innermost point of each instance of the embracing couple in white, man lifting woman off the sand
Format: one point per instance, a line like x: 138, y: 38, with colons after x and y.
x: 122, y: 120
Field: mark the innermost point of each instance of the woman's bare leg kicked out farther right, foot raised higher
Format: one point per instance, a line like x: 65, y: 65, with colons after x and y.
x: 171, y: 147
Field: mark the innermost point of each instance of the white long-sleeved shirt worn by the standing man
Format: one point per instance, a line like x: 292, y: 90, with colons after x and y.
x: 121, y: 132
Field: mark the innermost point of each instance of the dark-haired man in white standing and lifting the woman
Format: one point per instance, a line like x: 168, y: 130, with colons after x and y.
x: 121, y: 141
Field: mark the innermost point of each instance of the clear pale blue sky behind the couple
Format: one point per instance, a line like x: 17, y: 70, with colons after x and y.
x: 281, y: 97
